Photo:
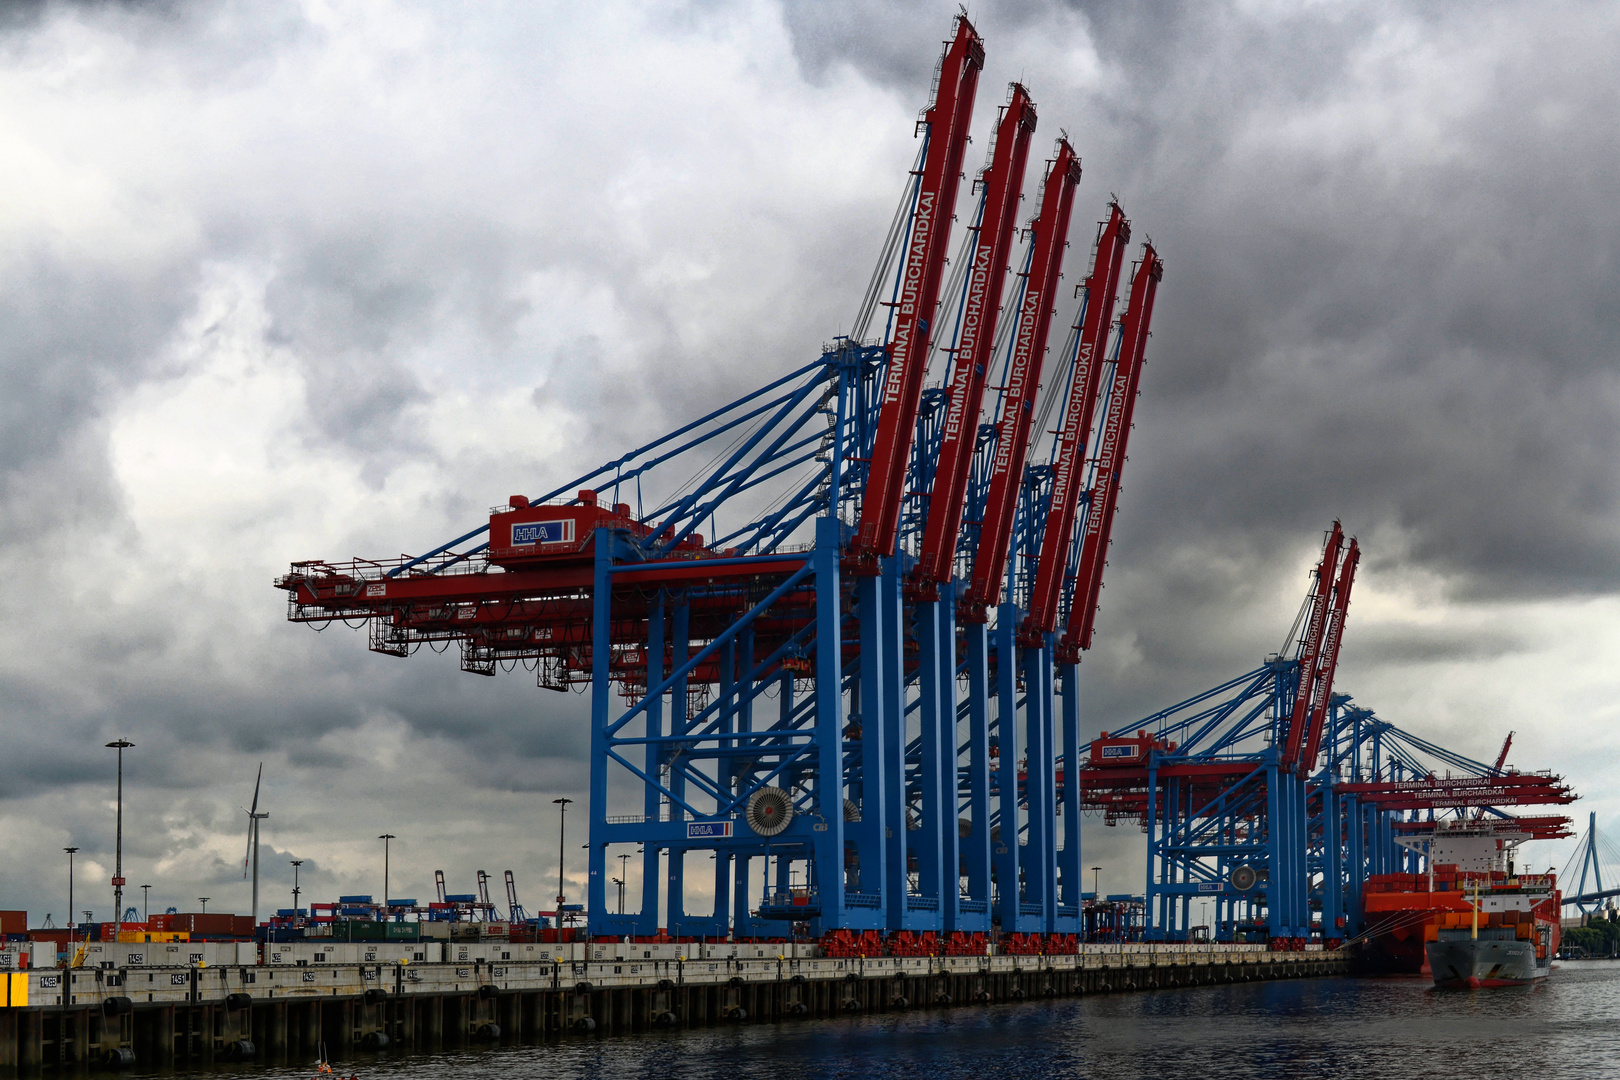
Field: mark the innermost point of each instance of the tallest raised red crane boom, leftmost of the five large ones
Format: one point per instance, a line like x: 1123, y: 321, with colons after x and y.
x: 919, y: 296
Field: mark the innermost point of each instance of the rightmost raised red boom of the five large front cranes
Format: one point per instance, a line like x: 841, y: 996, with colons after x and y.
x: 1111, y: 456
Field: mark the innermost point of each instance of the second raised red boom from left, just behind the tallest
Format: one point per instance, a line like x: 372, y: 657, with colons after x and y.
x: 1004, y: 184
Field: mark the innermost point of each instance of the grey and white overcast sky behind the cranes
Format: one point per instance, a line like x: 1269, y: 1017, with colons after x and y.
x: 297, y: 279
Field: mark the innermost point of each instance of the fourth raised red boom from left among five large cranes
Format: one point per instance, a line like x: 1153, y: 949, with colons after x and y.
x: 1101, y: 291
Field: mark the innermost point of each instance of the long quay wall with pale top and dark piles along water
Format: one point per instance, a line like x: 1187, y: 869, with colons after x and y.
x: 284, y: 1013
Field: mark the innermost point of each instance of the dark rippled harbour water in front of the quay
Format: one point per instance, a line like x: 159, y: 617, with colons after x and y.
x: 1567, y: 1026
